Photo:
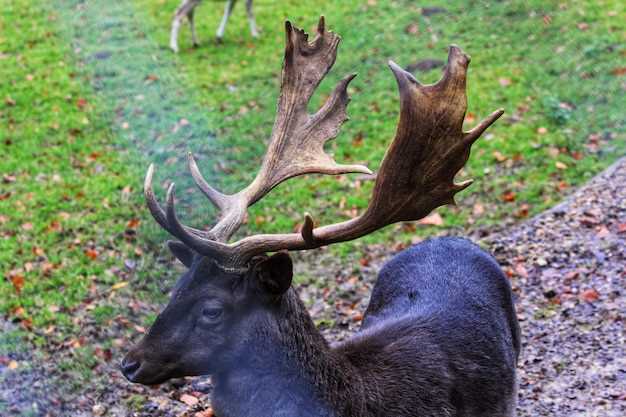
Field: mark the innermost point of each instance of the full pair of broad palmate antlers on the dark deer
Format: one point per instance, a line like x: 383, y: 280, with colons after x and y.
x: 415, y: 177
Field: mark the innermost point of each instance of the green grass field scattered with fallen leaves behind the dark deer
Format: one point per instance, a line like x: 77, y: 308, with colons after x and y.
x: 73, y: 232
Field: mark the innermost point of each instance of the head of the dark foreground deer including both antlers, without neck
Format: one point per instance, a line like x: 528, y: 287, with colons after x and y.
x: 230, y: 288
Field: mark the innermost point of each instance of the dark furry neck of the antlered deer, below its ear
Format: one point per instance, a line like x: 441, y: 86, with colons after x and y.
x: 292, y: 365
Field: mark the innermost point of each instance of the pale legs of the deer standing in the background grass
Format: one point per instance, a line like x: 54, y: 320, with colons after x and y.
x: 186, y: 9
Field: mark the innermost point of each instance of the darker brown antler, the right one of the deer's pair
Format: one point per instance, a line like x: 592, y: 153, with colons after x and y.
x: 417, y: 172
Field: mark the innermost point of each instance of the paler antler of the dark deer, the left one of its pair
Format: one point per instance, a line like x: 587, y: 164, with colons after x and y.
x: 297, y: 143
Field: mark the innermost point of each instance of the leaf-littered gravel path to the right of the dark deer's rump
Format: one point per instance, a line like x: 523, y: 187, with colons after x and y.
x: 568, y: 270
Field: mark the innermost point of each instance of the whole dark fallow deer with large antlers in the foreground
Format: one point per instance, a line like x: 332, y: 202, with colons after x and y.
x: 439, y: 337
